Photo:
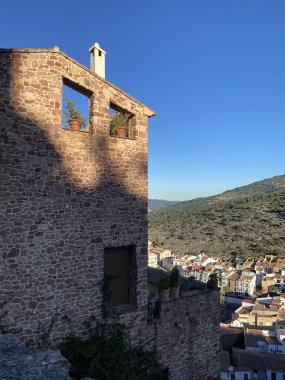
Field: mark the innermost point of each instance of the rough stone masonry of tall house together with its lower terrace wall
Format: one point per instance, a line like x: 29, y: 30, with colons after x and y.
x: 65, y: 196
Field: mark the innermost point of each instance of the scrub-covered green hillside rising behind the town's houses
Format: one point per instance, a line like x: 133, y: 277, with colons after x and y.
x: 248, y: 221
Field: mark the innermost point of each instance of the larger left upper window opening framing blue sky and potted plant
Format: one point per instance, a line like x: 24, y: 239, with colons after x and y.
x: 75, y: 106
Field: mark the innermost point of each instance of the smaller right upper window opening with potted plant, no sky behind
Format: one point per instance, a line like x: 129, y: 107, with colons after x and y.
x: 121, y: 122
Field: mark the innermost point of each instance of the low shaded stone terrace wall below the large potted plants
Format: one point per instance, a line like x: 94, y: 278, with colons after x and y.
x: 186, y: 336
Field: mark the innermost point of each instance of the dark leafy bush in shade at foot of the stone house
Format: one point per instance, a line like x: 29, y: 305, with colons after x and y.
x: 109, y: 354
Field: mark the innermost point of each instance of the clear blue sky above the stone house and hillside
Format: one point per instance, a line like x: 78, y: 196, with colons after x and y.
x: 213, y: 70
